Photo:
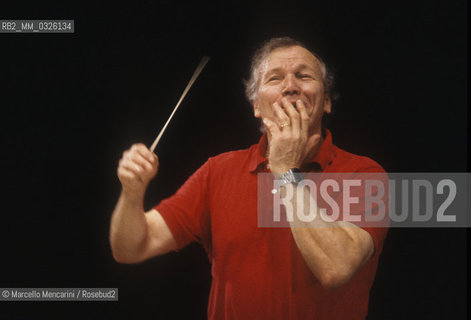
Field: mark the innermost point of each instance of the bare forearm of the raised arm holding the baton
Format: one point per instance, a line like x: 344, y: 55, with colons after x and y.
x: 128, y: 230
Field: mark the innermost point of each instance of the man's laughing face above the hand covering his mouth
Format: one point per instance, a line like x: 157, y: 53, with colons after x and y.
x: 294, y: 73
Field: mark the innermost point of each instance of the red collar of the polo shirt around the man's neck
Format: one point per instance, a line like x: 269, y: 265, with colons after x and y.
x: 323, y: 157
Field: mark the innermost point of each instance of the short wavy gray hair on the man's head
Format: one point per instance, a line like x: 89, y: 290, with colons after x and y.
x: 260, y: 56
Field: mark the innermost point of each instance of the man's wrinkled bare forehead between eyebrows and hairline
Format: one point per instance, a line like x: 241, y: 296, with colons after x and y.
x: 291, y: 57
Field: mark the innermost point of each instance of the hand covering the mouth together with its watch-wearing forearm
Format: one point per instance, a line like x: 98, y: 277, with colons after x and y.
x: 334, y: 251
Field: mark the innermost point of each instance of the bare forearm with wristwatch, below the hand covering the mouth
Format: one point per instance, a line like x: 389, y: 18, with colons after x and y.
x: 333, y: 250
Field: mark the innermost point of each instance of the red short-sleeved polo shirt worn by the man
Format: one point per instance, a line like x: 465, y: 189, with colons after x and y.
x: 259, y: 273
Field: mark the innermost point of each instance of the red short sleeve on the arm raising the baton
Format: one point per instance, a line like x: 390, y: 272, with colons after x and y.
x: 187, y: 211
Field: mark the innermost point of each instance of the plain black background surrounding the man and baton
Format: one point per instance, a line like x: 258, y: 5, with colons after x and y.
x: 71, y: 103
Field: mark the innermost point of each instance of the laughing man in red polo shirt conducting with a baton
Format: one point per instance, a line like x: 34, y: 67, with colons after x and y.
x: 322, y: 271
